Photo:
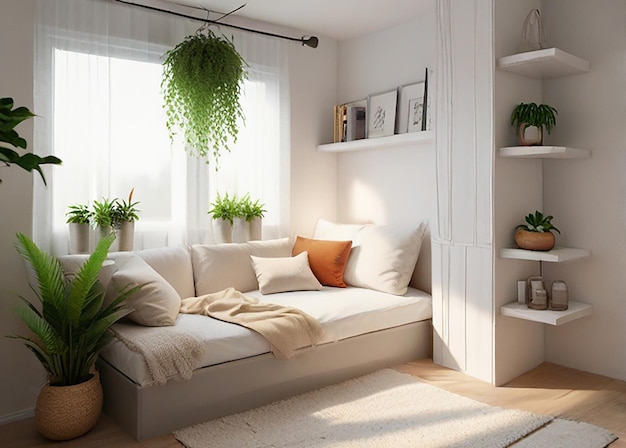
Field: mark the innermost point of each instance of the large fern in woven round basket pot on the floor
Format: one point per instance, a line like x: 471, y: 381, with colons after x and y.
x: 69, y: 325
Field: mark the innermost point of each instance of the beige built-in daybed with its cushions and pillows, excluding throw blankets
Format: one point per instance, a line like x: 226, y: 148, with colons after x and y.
x: 370, y: 318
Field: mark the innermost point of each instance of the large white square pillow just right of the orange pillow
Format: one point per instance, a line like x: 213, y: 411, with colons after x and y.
x: 383, y: 258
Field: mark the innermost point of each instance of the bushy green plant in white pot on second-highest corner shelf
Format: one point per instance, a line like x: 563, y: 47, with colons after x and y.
x: 529, y: 121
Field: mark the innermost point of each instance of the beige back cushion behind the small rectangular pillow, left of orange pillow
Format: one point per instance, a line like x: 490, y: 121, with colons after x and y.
x: 220, y: 266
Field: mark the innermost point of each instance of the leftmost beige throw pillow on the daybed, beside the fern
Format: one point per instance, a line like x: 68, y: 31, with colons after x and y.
x: 156, y: 303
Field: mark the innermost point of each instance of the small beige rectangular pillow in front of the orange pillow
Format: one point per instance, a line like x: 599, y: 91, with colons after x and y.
x: 285, y: 274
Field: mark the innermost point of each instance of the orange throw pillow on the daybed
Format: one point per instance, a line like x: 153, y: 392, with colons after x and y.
x: 327, y: 259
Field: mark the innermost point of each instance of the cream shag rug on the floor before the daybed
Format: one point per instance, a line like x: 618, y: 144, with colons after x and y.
x: 385, y: 409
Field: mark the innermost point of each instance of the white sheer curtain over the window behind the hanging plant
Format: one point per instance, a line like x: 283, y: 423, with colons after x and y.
x: 97, y: 97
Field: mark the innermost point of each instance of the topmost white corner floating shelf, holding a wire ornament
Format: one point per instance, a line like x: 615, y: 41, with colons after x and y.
x: 544, y: 64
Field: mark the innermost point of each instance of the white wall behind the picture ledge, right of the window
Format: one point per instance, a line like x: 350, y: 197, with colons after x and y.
x: 388, y: 185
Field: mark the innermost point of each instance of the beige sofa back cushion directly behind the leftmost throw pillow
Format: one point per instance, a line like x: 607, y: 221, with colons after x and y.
x: 173, y: 263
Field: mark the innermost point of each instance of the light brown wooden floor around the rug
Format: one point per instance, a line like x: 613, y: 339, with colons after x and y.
x: 549, y: 389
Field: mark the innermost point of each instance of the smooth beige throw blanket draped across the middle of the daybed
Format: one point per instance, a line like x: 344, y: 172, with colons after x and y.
x: 285, y: 328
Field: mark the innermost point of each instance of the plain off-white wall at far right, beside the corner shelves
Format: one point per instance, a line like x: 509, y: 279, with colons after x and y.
x: 588, y: 196
